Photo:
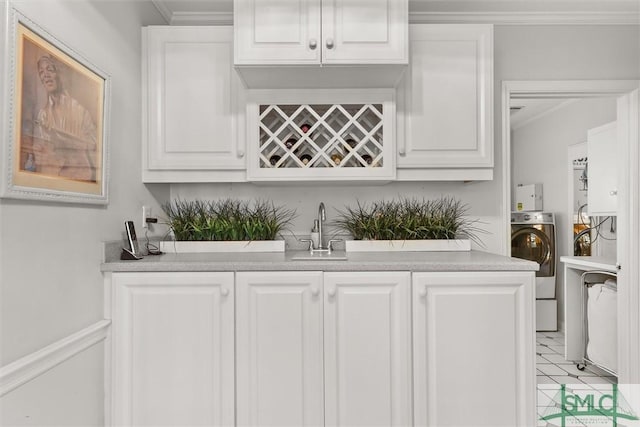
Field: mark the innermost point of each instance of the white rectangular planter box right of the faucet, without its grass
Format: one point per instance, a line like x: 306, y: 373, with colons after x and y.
x: 407, y: 245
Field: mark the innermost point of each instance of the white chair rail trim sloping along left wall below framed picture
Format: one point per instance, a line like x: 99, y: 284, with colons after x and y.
x: 37, y: 363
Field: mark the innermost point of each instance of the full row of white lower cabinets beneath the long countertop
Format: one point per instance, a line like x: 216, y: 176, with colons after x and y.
x: 321, y: 349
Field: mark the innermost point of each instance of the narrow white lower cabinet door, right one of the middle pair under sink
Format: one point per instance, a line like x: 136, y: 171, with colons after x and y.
x: 367, y: 349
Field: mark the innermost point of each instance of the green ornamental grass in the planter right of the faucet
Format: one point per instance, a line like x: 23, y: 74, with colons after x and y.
x: 408, y: 219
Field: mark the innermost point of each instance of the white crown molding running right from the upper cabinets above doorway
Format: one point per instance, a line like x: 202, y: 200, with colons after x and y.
x: 526, y: 18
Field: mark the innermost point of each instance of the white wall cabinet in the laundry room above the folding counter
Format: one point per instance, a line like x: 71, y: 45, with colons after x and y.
x: 602, y: 154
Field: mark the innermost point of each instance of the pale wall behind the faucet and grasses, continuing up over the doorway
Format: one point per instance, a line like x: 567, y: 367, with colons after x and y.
x: 527, y: 52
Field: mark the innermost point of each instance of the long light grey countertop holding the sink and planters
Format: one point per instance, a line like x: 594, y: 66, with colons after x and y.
x: 356, y: 261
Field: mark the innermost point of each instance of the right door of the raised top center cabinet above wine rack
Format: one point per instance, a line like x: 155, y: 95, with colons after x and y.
x: 366, y: 32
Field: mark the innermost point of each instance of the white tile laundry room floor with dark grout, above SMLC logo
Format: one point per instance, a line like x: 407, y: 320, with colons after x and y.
x: 552, y: 368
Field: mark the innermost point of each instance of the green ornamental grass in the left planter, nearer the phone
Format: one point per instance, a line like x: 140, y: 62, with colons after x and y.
x: 226, y: 220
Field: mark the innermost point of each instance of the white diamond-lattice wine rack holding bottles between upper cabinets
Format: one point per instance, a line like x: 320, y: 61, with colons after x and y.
x: 351, y: 140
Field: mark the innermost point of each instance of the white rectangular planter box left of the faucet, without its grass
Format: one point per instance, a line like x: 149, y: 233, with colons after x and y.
x: 180, y: 246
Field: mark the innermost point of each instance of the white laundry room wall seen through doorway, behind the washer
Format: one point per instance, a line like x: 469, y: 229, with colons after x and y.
x: 539, y: 155
